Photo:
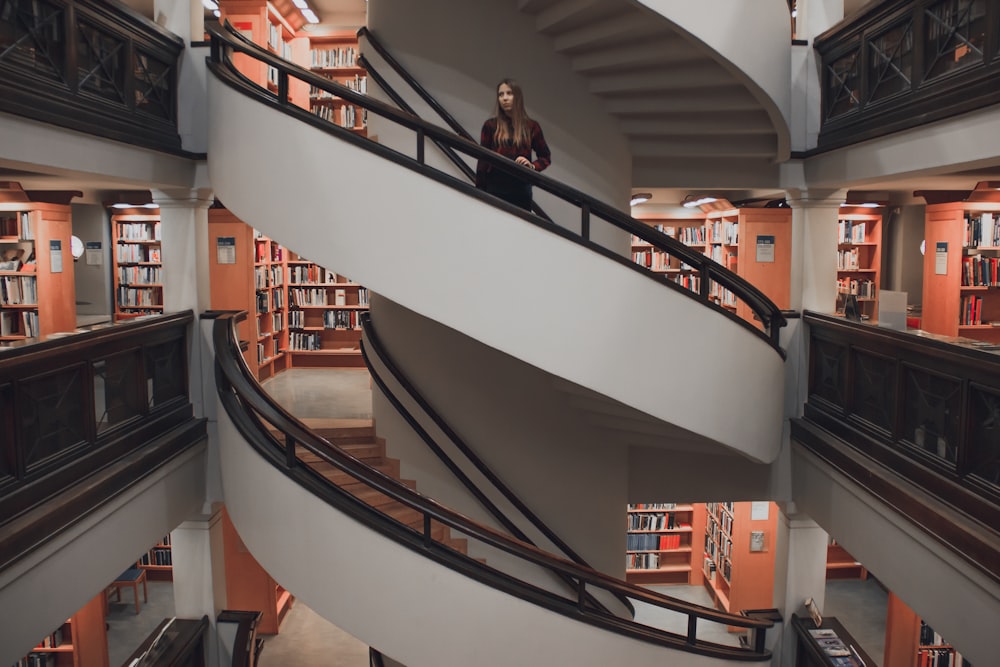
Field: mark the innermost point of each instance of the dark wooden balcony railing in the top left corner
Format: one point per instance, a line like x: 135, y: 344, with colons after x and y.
x: 95, y: 66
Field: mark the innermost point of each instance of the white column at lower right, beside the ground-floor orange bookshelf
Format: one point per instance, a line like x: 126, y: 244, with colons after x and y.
x: 800, y: 573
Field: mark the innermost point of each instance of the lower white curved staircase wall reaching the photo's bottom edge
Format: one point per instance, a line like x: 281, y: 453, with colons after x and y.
x: 405, y: 605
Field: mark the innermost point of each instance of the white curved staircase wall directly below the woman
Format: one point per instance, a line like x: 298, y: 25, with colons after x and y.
x: 494, y: 277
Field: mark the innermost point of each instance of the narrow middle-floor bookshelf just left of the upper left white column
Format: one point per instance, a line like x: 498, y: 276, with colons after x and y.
x: 138, y: 262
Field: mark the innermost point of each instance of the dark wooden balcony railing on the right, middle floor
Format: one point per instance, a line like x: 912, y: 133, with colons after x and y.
x: 926, y: 409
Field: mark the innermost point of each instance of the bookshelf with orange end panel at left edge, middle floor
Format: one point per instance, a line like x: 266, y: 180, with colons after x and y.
x: 37, y: 291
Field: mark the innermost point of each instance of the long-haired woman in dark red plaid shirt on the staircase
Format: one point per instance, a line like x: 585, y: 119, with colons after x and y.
x: 512, y: 134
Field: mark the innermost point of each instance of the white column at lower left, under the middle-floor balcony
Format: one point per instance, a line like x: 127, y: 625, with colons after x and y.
x: 199, y: 571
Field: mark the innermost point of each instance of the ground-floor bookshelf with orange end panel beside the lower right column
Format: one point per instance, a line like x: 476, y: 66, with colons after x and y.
x: 738, y: 563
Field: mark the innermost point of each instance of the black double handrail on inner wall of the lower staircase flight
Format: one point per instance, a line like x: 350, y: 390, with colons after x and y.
x: 379, y: 349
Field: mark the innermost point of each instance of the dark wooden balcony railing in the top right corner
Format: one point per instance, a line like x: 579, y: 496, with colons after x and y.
x: 903, y: 63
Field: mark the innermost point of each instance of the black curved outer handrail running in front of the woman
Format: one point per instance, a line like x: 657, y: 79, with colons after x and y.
x: 709, y: 270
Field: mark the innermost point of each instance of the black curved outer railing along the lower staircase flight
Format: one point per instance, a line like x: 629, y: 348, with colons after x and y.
x: 252, y: 411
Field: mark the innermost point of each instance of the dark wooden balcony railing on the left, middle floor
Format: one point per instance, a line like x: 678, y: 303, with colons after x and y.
x: 104, y: 407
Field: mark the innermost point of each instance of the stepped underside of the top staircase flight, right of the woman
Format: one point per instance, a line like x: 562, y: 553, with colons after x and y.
x: 691, y: 117
